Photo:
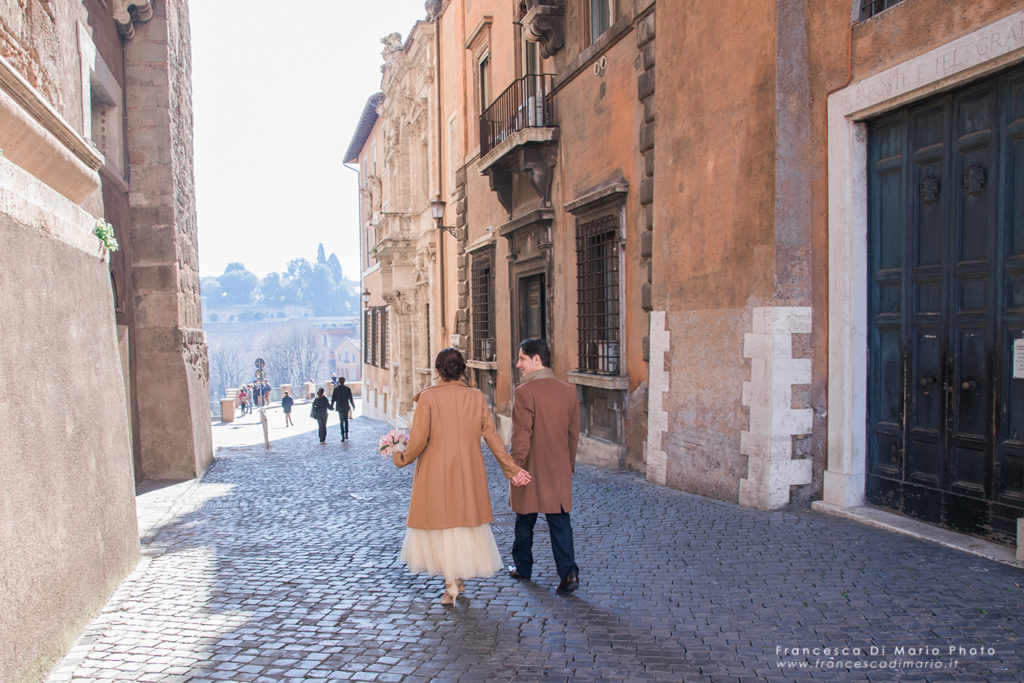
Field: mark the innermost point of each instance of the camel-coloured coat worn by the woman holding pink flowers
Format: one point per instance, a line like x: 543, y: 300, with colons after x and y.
x: 450, y: 486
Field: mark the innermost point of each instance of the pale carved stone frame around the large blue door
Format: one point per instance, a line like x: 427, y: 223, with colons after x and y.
x: 953, y: 64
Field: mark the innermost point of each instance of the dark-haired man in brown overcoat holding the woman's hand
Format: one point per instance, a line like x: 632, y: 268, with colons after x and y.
x: 545, y: 434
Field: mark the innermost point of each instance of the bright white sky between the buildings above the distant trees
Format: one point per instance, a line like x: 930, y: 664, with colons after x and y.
x: 278, y: 91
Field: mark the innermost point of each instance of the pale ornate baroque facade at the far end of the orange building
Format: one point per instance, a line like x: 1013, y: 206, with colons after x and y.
x: 395, y: 148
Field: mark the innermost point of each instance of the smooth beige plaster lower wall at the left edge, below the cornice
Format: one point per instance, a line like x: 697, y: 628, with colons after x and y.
x: 68, y: 530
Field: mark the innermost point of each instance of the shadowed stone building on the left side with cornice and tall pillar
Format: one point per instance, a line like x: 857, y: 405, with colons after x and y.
x: 104, y: 376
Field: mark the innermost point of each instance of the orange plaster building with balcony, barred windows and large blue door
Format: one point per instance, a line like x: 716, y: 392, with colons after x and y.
x: 775, y: 245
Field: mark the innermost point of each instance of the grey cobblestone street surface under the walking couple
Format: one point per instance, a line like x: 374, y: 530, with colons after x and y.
x: 282, y: 565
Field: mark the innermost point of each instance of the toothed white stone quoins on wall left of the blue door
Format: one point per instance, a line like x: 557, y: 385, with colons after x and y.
x: 769, y: 444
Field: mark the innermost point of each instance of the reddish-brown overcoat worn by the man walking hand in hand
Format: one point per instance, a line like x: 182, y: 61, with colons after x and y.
x: 545, y: 436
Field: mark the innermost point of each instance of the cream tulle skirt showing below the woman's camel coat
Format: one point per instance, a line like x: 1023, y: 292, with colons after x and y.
x: 463, y: 552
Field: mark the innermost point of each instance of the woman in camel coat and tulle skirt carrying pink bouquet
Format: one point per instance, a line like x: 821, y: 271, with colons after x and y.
x: 449, y: 527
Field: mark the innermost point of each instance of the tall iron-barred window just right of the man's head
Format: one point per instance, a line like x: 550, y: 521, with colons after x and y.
x: 598, y: 295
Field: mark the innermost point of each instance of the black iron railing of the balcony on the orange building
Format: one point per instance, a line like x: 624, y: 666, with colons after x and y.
x: 526, y: 104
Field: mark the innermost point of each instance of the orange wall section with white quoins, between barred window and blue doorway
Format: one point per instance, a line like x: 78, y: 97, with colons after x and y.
x: 740, y: 241
